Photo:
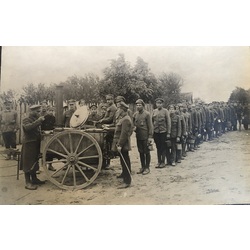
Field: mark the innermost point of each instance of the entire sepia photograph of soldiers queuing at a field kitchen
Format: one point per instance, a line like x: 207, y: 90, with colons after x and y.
x: 125, y: 125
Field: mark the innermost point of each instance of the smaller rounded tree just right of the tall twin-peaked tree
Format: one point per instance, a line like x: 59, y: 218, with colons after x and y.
x: 170, y: 87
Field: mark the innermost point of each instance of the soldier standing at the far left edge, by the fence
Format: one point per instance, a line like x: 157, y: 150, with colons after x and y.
x: 9, y: 127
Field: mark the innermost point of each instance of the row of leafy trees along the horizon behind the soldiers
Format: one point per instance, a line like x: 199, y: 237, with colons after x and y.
x: 119, y: 78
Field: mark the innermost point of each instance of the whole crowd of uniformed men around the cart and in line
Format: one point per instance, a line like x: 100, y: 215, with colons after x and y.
x: 175, y: 130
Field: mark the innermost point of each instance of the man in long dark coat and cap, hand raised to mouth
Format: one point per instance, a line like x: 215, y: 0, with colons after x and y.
x: 31, y: 147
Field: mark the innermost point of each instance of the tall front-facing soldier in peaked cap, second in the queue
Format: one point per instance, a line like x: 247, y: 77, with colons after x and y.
x: 162, y: 126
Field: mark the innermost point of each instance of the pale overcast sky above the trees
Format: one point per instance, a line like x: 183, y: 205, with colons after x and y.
x: 211, y: 73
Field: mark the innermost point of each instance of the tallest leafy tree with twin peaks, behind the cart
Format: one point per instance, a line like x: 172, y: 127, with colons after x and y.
x: 132, y: 83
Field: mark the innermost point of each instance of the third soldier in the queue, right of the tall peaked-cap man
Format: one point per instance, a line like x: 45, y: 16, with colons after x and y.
x: 175, y: 135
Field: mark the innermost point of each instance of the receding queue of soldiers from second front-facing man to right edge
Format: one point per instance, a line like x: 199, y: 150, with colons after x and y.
x: 190, y: 125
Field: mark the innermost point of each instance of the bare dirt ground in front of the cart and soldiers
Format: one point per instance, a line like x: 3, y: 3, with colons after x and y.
x: 217, y: 173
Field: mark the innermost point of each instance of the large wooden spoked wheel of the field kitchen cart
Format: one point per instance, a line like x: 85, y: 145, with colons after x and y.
x: 76, y: 158
